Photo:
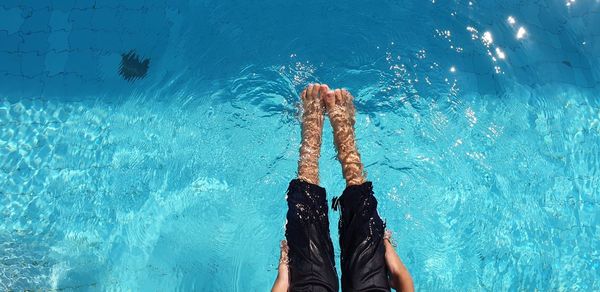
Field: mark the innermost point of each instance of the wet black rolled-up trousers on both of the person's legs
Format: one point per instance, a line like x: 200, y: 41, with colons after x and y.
x: 312, y: 265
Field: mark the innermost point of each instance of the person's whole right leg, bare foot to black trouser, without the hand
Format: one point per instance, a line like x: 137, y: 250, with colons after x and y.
x: 360, y: 227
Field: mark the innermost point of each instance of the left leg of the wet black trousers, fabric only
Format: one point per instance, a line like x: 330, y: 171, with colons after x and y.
x: 312, y: 265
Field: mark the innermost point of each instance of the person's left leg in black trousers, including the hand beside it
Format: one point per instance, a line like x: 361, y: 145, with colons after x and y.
x: 308, y: 262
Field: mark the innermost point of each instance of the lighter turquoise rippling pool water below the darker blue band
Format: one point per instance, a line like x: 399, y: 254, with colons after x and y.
x: 141, y: 195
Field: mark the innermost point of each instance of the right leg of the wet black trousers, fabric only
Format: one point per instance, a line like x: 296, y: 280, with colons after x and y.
x: 361, y: 241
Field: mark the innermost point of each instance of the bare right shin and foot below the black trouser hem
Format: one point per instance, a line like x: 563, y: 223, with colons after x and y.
x: 342, y: 116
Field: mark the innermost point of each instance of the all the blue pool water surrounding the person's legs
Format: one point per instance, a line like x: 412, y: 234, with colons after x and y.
x: 478, y: 122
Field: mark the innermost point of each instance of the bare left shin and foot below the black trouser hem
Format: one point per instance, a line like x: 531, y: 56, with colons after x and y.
x: 312, y: 130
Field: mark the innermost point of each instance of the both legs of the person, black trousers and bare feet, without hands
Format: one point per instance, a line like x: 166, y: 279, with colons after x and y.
x: 311, y: 263
